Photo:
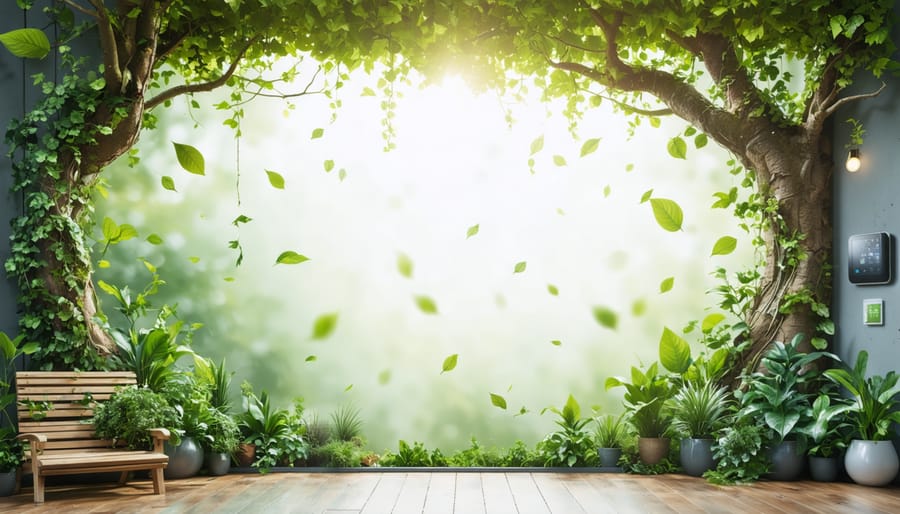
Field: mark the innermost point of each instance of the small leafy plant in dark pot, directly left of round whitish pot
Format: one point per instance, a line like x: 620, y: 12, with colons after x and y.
x: 828, y: 435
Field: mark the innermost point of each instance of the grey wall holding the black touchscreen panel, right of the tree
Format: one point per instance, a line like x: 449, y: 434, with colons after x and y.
x: 868, y: 201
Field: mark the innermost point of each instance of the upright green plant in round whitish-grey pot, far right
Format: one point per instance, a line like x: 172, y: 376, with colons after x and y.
x: 871, y: 458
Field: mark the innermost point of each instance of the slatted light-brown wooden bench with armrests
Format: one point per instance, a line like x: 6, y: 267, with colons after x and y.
x: 55, y: 409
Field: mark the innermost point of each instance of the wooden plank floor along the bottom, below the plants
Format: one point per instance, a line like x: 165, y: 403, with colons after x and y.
x: 463, y: 492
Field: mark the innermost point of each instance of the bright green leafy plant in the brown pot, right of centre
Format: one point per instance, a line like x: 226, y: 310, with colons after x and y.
x: 646, y: 402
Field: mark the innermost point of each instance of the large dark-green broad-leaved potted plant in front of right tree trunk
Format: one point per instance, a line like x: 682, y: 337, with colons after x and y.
x: 776, y: 396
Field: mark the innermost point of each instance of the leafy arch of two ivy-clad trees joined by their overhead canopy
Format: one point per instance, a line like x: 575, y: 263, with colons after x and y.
x: 723, y: 66
